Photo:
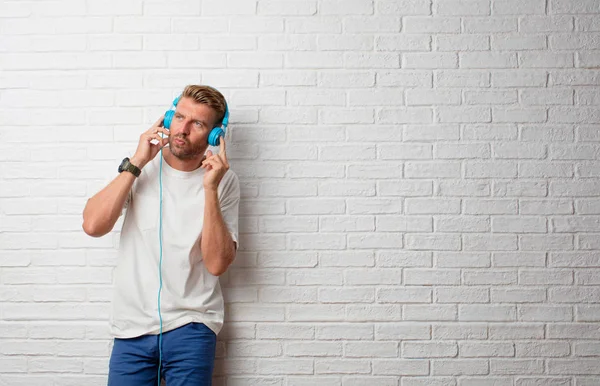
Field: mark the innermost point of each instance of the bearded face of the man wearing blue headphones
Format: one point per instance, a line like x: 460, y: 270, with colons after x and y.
x: 190, y: 128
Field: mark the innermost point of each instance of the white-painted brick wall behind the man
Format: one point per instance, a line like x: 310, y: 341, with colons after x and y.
x: 420, y: 184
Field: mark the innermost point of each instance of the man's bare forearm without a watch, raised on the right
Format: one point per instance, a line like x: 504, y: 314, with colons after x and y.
x: 216, y: 244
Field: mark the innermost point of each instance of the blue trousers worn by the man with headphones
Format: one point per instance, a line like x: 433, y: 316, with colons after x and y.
x: 188, y: 358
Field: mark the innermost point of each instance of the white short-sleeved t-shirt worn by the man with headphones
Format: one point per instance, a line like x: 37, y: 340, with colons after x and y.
x: 189, y: 292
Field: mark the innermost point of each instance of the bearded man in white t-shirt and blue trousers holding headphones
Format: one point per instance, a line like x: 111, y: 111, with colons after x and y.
x: 179, y: 262
